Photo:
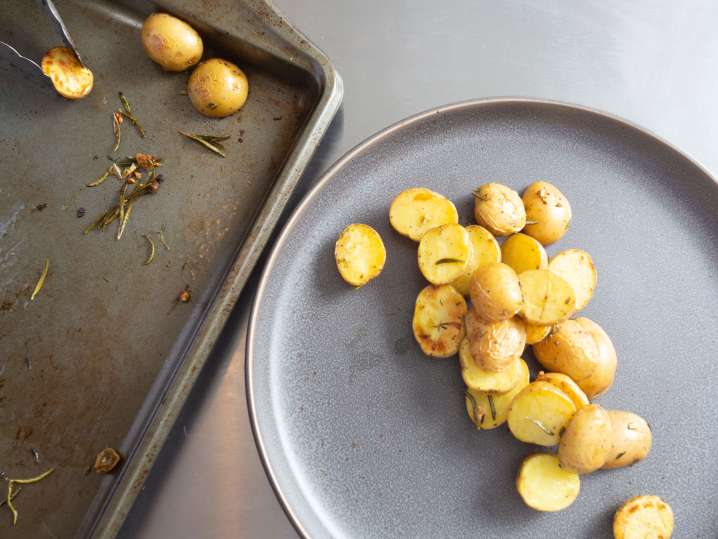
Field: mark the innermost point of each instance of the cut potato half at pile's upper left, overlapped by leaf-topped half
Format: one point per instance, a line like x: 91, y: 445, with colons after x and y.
x: 417, y: 210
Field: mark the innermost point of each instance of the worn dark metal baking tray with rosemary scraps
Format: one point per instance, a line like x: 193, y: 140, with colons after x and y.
x: 104, y: 357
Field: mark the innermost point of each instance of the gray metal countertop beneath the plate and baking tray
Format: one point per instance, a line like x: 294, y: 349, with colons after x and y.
x: 652, y: 62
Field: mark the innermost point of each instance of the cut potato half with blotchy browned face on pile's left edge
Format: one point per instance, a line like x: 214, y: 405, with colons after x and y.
x: 439, y: 320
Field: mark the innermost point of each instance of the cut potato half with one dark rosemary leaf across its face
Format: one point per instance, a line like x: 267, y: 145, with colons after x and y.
x: 444, y: 253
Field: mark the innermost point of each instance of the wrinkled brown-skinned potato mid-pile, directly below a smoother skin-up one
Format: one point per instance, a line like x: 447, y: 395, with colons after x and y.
x: 494, y: 345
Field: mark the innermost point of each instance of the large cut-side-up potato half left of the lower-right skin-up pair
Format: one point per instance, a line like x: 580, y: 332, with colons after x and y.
x: 539, y: 414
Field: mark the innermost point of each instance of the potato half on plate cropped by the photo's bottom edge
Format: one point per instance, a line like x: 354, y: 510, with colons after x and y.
x: 643, y: 517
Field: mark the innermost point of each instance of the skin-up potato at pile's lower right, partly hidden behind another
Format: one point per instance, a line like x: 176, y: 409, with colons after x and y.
x: 631, y: 439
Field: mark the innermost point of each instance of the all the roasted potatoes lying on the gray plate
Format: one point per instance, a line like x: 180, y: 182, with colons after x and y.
x: 518, y: 297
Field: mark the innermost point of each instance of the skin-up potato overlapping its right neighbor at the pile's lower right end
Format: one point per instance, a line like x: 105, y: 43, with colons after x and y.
x: 586, y: 442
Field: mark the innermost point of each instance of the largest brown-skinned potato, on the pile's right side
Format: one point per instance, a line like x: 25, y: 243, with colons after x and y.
x: 580, y: 349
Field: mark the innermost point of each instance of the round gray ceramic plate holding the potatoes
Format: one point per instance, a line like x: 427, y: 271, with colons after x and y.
x: 362, y: 436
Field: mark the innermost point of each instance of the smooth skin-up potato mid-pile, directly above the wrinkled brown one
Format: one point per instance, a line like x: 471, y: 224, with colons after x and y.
x: 495, y: 292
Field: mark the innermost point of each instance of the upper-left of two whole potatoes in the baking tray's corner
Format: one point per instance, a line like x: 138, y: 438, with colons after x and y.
x: 171, y: 42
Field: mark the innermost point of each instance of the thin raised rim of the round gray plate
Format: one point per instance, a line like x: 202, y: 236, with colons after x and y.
x: 329, y: 174
